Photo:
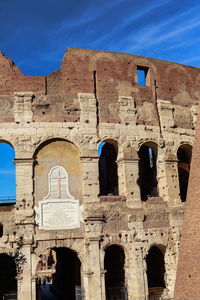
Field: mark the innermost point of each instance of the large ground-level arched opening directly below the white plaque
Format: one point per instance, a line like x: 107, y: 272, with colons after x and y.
x: 59, y: 275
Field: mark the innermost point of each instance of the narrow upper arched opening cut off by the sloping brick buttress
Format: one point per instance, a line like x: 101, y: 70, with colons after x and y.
x: 184, y: 155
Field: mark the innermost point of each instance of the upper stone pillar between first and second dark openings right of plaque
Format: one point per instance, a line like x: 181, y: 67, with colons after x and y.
x: 128, y: 186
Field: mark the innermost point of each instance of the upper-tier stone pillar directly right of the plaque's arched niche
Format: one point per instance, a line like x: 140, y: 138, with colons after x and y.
x: 90, y: 178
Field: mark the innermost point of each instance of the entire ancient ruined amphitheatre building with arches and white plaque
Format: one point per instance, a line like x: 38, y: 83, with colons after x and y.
x: 102, y: 164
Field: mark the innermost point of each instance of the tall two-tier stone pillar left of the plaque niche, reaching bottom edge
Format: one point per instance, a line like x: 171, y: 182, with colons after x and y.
x: 24, y: 218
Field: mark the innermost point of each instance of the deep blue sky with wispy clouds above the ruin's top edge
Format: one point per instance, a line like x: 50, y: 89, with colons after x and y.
x: 35, y: 34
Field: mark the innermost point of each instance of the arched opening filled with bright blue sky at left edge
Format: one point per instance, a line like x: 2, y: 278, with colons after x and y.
x: 7, y: 174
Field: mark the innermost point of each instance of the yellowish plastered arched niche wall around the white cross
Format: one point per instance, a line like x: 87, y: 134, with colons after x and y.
x: 52, y: 153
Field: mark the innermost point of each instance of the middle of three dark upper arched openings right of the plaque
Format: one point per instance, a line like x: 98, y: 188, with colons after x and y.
x: 148, y: 170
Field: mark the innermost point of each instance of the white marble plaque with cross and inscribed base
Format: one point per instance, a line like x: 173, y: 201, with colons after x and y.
x: 59, y: 210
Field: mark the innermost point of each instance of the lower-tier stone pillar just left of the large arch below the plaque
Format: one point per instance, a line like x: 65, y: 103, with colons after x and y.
x: 25, y: 282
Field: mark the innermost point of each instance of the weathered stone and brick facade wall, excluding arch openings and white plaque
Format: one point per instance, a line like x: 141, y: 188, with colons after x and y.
x: 95, y: 97
